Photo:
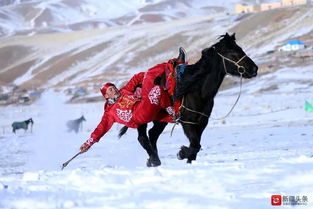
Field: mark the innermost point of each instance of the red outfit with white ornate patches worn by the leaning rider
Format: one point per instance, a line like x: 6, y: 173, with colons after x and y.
x: 131, y: 111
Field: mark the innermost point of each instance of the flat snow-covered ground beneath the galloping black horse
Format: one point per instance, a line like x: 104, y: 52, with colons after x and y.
x: 263, y: 148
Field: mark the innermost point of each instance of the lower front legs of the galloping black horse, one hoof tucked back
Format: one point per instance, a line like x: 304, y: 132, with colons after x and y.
x: 193, y: 133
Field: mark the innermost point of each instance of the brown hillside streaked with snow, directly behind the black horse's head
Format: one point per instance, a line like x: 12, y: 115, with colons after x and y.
x: 87, y: 58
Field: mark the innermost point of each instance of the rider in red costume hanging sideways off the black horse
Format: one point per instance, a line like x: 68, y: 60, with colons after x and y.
x: 133, y: 105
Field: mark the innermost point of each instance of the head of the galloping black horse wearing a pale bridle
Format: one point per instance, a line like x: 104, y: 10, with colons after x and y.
x: 234, y: 59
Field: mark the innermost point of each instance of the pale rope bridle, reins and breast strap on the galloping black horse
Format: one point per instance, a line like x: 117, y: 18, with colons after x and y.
x: 241, y: 70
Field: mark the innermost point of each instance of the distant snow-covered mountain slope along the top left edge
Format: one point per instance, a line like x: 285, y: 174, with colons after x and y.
x: 42, y: 16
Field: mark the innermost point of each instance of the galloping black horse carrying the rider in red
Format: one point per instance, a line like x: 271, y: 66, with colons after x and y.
x: 197, y: 88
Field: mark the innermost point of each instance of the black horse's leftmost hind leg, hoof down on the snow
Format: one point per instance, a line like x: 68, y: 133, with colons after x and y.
x: 145, y: 143
